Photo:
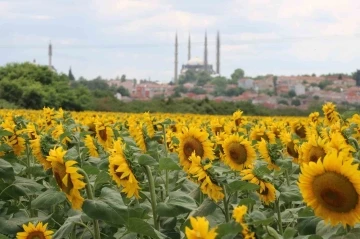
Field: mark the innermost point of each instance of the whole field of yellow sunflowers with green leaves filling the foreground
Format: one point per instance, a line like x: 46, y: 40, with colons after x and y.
x: 121, y: 175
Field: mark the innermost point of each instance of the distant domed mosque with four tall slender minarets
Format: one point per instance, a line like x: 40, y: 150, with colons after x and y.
x: 195, y: 63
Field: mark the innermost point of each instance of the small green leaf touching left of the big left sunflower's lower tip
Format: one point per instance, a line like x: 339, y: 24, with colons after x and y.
x: 47, y: 199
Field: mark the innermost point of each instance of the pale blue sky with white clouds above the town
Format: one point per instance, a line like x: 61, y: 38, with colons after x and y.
x: 109, y: 38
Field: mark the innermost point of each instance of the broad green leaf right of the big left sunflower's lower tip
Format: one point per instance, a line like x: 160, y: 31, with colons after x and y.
x: 109, y: 207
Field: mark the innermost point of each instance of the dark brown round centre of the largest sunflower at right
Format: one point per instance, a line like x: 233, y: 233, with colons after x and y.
x: 335, y: 192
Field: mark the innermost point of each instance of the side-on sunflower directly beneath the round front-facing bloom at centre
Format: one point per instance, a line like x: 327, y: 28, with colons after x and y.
x: 199, y: 172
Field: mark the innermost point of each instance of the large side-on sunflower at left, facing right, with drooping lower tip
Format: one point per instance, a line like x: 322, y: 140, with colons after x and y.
x: 67, y: 177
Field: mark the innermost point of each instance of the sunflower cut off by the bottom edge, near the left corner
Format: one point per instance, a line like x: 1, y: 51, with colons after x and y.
x: 35, y: 232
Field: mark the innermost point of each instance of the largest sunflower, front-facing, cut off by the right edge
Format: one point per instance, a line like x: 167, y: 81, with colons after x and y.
x: 331, y: 187
